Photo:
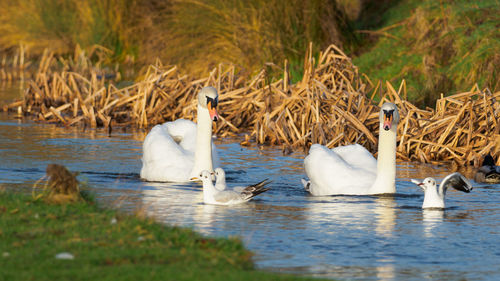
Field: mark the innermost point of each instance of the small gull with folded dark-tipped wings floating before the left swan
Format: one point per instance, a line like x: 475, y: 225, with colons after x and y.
x: 212, y: 195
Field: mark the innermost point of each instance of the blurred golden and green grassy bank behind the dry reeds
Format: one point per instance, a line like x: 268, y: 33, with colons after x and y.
x: 438, y: 47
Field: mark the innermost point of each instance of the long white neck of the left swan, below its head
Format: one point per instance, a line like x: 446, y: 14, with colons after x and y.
x: 203, y: 152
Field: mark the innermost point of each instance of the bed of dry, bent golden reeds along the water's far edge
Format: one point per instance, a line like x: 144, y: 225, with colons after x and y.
x: 332, y: 105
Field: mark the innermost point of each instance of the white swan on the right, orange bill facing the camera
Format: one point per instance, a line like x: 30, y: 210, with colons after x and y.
x: 351, y: 169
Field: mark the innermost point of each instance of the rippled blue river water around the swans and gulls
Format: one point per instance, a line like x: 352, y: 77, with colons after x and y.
x: 341, y: 237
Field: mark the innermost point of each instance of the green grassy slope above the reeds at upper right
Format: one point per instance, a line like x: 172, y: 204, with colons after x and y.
x: 437, y: 47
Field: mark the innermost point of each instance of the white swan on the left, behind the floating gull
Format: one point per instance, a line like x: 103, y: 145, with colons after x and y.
x: 178, y: 151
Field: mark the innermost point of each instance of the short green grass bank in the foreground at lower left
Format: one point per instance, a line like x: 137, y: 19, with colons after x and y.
x: 33, y: 232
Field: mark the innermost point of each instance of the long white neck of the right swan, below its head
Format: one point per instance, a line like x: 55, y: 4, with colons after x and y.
x: 386, y: 163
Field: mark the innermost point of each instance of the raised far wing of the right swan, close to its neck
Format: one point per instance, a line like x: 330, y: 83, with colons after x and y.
x: 357, y: 156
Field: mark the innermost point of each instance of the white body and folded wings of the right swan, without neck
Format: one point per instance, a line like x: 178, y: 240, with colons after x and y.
x: 330, y: 174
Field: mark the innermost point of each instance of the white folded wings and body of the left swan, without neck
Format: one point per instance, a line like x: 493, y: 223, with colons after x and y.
x: 163, y: 158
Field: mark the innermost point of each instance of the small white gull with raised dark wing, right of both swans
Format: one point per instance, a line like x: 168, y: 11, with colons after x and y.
x: 433, y: 197
